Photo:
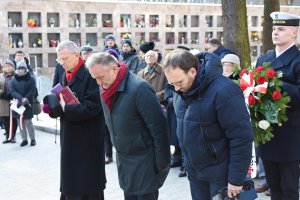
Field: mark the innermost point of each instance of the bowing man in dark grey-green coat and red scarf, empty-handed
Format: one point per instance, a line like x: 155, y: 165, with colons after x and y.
x: 137, y: 126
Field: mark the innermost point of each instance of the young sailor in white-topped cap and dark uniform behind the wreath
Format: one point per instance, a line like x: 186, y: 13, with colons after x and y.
x: 281, y: 155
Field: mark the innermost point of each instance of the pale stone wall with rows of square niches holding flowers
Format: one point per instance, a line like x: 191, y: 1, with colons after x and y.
x: 37, y: 26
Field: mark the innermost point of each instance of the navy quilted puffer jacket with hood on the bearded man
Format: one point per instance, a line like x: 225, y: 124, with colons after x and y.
x: 213, y: 126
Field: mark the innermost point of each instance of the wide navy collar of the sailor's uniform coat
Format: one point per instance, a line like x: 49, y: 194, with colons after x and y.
x: 285, y: 58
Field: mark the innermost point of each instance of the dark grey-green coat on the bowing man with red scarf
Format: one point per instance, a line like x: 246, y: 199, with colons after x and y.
x: 139, y: 132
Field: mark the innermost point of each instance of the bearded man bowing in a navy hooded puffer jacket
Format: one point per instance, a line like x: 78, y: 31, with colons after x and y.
x: 213, y: 124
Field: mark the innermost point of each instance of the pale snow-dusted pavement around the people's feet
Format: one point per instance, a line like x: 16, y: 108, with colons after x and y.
x: 32, y: 173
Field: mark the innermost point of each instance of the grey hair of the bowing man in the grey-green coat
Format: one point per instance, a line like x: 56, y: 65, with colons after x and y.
x: 103, y: 58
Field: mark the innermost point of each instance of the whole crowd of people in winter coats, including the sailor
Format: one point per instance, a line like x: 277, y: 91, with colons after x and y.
x: 140, y: 104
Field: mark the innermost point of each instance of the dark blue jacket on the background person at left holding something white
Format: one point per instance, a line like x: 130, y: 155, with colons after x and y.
x: 23, y: 87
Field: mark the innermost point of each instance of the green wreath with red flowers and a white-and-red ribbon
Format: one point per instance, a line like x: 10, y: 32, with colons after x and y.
x: 265, y: 99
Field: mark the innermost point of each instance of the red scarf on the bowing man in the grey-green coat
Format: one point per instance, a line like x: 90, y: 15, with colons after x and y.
x: 107, y: 94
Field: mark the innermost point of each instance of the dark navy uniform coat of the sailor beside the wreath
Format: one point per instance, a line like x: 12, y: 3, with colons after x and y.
x: 284, y: 146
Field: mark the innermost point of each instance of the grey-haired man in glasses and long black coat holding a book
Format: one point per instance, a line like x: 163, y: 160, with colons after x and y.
x: 82, y: 130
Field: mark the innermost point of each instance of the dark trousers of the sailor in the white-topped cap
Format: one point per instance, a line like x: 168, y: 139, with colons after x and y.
x: 283, y: 179
